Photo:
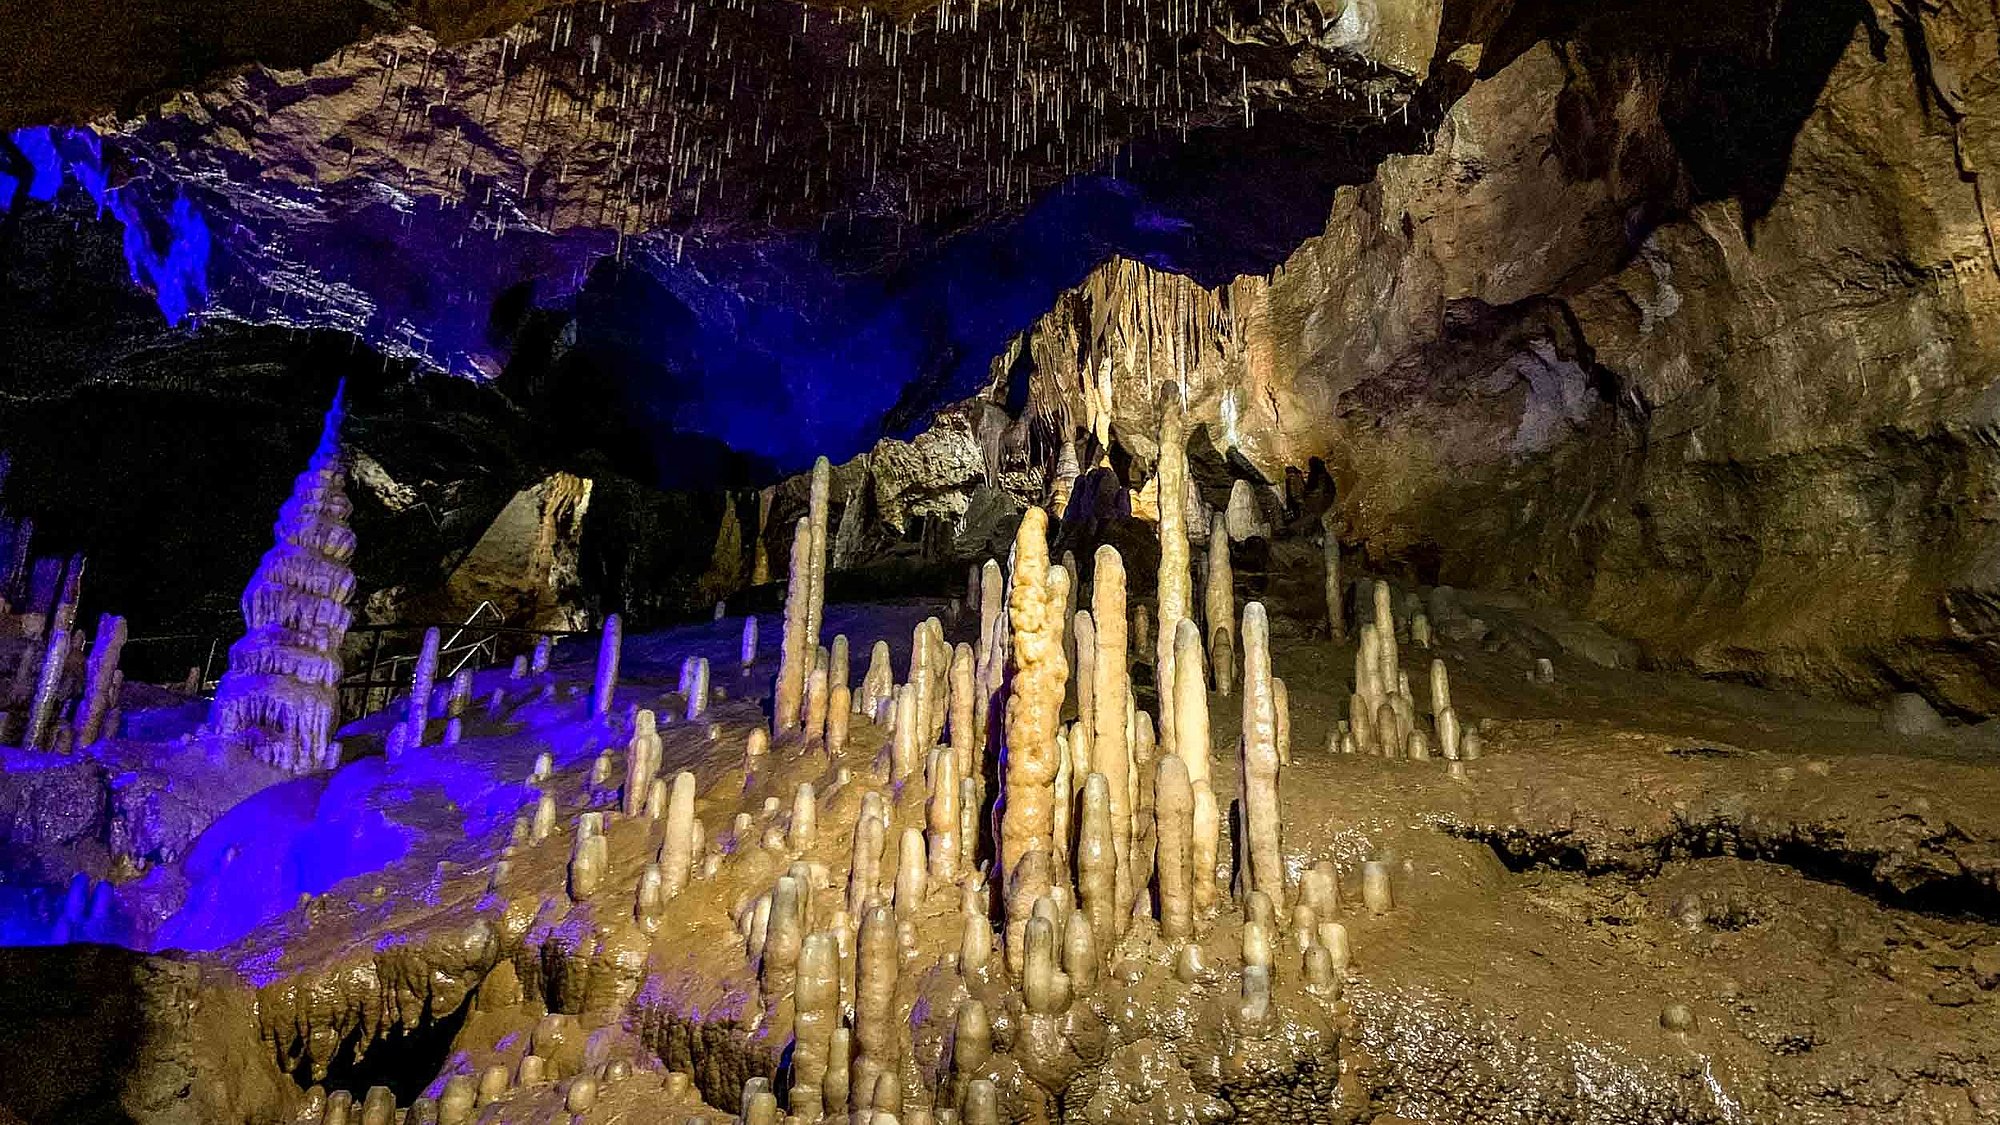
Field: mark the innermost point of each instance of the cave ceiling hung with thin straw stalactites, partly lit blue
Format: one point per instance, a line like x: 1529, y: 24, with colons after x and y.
x: 795, y: 221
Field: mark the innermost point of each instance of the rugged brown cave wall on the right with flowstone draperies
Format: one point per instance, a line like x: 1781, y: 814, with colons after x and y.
x: 1699, y: 343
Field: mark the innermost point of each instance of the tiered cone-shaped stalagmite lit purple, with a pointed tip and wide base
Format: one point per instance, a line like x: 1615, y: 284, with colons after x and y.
x: 283, y: 692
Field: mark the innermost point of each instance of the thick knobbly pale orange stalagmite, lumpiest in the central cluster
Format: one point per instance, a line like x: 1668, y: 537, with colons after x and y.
x: 1035, y: 706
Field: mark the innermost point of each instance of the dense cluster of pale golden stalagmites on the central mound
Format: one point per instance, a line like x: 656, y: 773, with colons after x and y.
x: 999, y: 848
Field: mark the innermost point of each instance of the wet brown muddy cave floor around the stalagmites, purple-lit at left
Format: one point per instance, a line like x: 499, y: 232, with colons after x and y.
x: 1819, y: 896
